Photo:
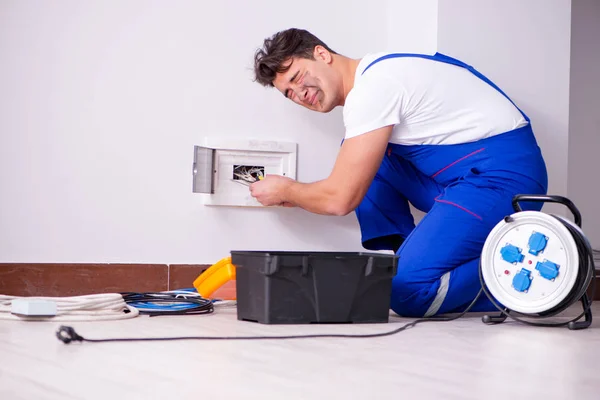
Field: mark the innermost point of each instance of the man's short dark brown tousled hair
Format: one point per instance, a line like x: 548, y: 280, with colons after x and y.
x: 279, y: 48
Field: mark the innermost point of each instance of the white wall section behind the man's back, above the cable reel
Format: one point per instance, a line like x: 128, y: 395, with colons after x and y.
x: 524, y: 47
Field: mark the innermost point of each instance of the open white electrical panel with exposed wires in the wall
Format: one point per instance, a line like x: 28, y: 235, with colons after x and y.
x: 220, y: 166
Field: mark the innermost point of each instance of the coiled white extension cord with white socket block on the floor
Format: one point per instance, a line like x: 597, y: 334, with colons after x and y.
x: 95, y: 307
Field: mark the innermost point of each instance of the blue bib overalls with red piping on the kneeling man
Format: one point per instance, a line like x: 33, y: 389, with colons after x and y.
x: 465, y: 190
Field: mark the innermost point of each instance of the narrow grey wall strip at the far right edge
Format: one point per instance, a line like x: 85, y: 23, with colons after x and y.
x: 584, y: 110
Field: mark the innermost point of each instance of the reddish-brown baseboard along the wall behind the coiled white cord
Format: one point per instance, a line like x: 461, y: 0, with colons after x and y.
x: 24, y: 279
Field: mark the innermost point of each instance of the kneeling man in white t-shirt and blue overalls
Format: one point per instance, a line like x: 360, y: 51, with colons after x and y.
x: 421, y: 129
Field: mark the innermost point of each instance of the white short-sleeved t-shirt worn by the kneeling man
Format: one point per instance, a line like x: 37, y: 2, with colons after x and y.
x: 427, y: 101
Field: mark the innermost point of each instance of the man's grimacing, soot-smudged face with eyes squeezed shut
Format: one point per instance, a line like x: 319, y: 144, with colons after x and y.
x: 311, y: 83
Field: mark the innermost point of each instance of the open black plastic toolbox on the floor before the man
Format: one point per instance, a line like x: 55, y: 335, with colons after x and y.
x: 278, y: 287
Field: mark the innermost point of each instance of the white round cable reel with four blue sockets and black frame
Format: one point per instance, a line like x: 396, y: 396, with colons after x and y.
x: 536, y: 265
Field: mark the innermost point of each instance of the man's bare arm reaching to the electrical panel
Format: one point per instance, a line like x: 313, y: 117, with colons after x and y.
x: 339, y: 194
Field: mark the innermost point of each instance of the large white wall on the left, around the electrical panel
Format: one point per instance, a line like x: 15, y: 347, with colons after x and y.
x: 102, y: 103
